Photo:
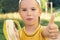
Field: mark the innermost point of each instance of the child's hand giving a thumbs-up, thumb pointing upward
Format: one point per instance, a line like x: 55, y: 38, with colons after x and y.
x: 52, y: 28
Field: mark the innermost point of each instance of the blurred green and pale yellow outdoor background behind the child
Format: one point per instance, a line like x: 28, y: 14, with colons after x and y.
x: 9, y: 10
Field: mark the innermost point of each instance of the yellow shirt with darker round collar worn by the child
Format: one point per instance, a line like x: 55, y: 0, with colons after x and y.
x: 36, y: 35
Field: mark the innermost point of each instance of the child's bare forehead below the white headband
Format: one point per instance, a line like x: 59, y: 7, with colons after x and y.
x: 29, y: 3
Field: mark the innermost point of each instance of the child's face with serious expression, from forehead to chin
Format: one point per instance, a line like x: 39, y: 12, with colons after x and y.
x: 29, y: 11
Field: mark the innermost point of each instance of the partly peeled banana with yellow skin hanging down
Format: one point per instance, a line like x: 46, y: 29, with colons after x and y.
x: 8, y: 29
